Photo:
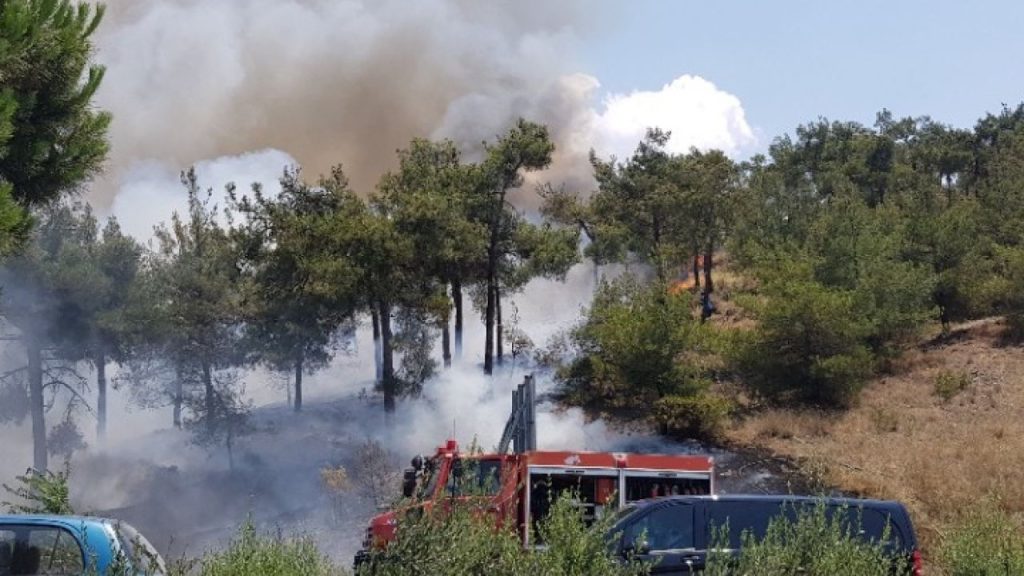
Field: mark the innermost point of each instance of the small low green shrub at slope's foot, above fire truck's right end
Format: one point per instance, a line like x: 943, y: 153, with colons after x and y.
x: 701, y: 417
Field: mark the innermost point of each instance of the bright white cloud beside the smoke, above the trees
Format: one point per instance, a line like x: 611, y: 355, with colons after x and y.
x: 697, y: 112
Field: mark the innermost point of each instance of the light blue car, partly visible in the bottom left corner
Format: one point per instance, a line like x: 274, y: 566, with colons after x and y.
x: 74, y: 546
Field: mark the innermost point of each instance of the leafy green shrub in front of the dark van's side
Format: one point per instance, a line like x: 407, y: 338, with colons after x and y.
x: 815, y: 544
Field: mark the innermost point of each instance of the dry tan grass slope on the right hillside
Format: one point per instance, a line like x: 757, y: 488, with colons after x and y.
x: 906, y: 442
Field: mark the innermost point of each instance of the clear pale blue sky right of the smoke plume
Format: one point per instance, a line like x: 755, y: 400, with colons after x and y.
x: 790, y: 62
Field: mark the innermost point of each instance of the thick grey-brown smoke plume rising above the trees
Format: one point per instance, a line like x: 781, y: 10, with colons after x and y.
x: 327, y: 81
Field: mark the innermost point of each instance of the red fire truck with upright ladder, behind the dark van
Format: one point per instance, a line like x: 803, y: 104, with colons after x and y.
x: 522, y: 486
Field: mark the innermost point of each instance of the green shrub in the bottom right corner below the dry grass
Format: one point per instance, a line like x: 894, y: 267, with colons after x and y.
x: 988, y: 544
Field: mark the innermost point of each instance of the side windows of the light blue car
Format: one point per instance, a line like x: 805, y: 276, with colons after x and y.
x: 40, y: 550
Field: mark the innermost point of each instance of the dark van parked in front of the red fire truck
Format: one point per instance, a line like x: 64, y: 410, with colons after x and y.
x: 674, y: 533
